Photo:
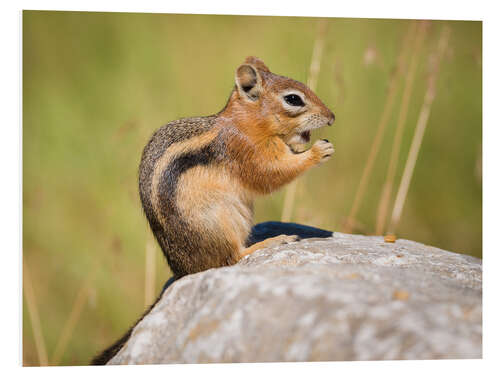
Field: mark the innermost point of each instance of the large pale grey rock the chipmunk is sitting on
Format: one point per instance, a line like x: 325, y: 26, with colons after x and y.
x: 329, y: 296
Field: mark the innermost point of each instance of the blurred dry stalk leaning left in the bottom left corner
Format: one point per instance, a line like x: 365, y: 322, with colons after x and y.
x: 29, y: 294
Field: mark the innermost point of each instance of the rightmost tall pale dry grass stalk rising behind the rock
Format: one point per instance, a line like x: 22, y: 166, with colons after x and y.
x: 423, y: 118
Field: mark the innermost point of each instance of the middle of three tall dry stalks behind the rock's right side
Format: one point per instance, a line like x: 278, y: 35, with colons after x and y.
x: 383, y: 207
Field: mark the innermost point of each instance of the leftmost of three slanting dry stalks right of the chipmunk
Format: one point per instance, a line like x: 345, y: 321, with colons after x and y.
x: 389, y: 103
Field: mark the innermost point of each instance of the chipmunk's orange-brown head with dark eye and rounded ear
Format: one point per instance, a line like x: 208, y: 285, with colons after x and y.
x: 279, y: 105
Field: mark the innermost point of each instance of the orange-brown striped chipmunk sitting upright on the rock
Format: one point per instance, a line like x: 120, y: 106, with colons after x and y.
x: 199, y: 176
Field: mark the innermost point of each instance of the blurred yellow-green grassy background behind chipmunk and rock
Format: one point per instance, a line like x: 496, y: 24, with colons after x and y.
x: 95, y: 87
